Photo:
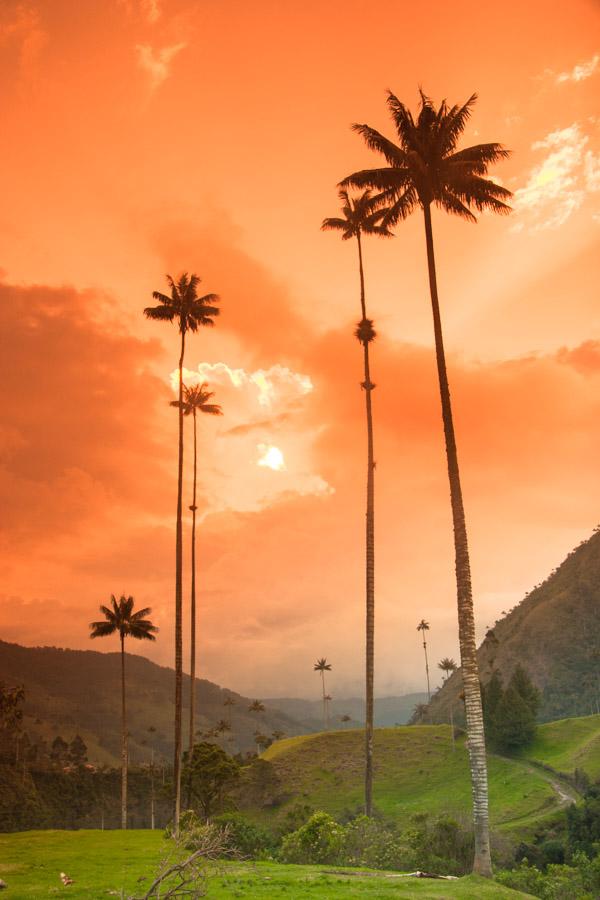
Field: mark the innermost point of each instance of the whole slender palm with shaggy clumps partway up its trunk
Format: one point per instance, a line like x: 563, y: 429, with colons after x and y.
x: 357, y: 218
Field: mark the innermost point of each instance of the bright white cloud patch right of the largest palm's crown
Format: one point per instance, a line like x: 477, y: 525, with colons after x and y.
x: 558, y: 186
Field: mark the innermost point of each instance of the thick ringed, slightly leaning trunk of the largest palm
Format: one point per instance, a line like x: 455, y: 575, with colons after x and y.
x: 482, y: 864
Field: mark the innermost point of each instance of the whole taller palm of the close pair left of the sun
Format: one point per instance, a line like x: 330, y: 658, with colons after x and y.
x: 190, y: 312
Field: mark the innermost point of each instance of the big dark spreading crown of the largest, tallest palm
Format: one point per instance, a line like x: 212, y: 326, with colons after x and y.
x: 425, y: 167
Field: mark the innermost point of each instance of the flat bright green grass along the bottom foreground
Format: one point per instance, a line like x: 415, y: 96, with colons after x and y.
x: 102, y: 863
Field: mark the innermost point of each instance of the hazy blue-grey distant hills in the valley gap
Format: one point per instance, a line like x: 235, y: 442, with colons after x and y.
x: 388, y: 710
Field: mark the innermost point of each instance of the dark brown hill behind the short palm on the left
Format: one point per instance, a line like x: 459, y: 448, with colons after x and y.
x: 78, y: 691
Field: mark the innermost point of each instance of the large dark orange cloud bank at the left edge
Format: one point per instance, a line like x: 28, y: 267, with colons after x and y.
x: 71, y: 435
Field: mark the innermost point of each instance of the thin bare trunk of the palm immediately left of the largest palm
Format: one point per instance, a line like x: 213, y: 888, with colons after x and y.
x: 370, y: 560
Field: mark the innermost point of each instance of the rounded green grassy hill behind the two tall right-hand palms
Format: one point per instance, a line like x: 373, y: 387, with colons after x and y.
x: 416, y: 770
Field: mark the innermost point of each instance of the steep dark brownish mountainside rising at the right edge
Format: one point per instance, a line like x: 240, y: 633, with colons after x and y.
x: 555, y: 633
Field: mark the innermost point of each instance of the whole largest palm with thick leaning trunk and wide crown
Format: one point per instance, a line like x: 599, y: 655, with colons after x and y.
x: 425, y: 168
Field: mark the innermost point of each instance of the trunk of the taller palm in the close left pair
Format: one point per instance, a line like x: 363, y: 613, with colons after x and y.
x: 178, y: 606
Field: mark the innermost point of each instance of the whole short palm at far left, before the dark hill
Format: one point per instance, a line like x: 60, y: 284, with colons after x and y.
x: 120, y: 618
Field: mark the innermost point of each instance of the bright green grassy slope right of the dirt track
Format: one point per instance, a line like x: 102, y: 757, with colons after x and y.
x: 568, y: 744
